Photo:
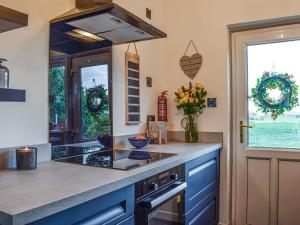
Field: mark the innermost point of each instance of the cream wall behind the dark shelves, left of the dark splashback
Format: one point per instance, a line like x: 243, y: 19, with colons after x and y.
x: 27, y: 52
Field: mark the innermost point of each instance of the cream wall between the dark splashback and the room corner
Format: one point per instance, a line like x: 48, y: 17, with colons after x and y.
x: 152, y: 65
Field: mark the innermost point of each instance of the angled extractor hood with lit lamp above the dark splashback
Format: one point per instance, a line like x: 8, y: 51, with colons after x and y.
x: 104, y: 21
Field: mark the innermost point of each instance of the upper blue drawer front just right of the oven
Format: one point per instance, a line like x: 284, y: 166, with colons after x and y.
x: 202, y: 177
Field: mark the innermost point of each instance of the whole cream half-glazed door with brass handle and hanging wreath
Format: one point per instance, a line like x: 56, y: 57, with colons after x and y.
x: 266, y: 129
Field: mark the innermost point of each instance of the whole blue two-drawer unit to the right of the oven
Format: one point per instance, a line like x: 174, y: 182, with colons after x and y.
x: 202, y: 193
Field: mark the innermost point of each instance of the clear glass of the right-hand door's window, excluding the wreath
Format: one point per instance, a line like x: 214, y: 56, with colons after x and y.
x: 271, y: 131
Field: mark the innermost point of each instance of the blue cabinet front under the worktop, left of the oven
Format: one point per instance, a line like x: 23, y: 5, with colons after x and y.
x: 116, y: 208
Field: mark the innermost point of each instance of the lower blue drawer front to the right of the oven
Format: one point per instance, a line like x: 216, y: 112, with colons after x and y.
x: 205, y: 213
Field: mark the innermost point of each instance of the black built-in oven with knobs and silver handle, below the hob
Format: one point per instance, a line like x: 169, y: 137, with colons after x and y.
x: 160, y: 199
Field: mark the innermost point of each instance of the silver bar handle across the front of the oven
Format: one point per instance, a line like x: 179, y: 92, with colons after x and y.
x: 159, y: 198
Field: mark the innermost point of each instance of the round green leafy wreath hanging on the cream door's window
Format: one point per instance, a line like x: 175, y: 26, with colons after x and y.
x: 287, y: 100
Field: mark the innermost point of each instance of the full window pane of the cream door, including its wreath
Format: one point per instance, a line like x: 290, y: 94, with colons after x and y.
x: 273, y: 84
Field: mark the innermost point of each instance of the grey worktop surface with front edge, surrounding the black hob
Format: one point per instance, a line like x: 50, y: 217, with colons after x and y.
x: 26, y: 196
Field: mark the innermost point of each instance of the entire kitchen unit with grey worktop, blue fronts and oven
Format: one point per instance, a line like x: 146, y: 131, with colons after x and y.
x: 178, y: 190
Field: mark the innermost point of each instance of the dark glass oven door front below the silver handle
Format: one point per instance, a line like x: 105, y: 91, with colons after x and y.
x: 170, y: 213
